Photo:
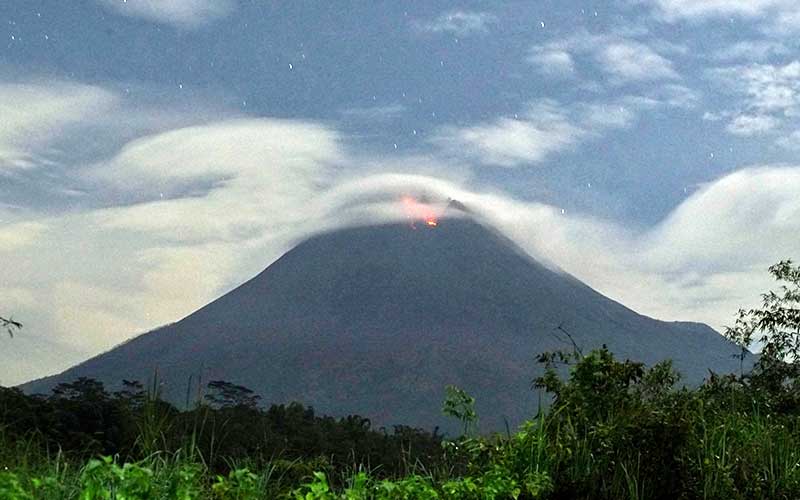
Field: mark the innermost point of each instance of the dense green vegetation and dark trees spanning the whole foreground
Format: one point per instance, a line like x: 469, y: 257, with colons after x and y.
x: 612, y: 430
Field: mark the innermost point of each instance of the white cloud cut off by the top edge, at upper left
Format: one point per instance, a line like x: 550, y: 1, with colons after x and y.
x: 181, y: 13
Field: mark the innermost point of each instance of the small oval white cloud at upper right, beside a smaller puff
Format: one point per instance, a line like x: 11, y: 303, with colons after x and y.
x: 634, y: 61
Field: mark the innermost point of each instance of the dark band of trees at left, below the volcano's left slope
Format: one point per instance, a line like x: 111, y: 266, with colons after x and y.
x: 83, y: 419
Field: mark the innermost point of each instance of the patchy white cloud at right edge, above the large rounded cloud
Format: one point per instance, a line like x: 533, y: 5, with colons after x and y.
x: 769, y: 95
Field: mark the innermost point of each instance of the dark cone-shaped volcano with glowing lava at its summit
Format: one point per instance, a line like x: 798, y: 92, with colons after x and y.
x: 376, y: 320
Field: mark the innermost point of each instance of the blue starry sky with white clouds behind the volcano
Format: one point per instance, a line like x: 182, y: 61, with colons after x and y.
x: 154, y: 154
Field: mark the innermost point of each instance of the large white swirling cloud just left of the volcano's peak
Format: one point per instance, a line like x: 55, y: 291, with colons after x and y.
x: 262, y: 167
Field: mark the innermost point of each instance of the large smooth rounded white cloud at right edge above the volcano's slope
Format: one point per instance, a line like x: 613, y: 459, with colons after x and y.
x: 748, y: 218
